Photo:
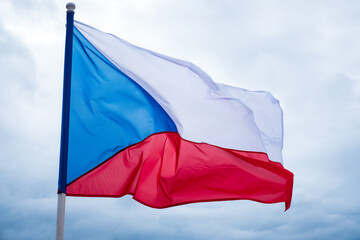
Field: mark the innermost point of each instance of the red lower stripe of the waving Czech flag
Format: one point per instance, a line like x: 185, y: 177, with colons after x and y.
x: 165, y: 170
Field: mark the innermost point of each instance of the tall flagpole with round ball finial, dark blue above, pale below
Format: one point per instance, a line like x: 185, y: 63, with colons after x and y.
x: 60, y: 222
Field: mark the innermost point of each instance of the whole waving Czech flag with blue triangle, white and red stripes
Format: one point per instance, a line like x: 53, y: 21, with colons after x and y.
x: 160, y: 129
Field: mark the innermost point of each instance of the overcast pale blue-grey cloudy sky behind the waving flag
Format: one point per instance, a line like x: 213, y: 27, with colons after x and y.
x: 307, y: 53
